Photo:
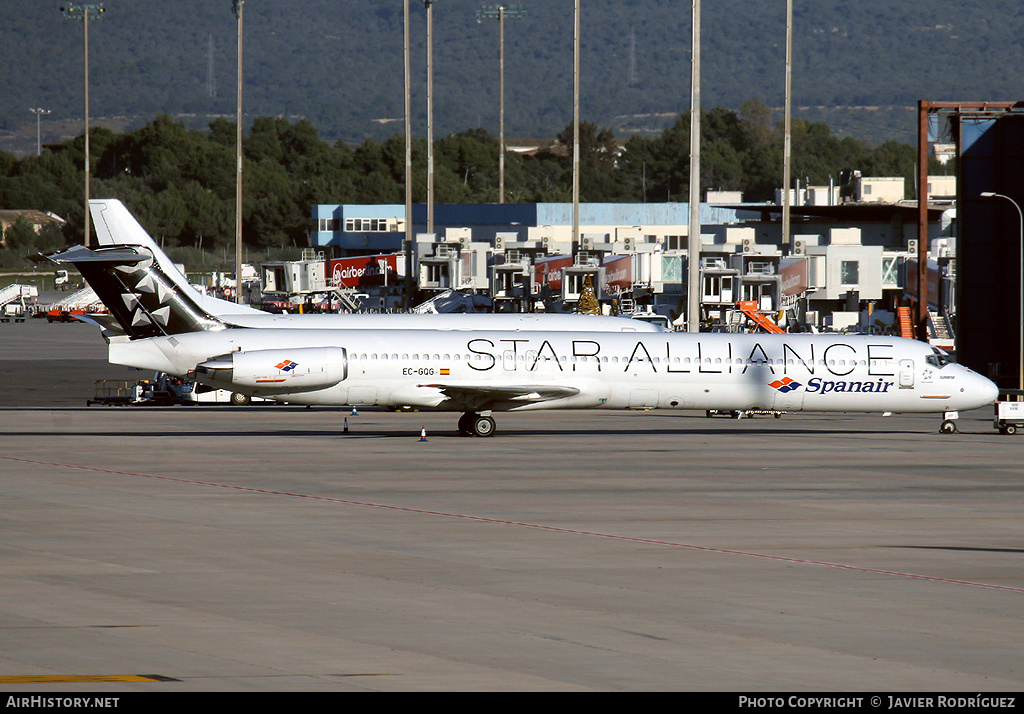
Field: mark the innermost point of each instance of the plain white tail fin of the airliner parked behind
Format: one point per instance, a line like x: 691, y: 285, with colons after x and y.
x: 117, y: 227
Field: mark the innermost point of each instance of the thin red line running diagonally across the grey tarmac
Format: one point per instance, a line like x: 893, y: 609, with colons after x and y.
x: 538, y: 527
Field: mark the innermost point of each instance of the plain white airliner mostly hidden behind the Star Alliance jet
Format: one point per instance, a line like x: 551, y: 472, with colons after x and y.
x: 115, y: 226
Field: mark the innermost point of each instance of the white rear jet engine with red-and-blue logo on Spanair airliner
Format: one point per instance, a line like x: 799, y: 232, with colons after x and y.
x: 276, y: 371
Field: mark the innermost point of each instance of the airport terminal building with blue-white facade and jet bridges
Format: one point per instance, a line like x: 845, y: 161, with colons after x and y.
x: 843, y: 260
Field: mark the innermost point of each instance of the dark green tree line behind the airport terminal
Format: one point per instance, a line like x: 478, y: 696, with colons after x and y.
x: 181, y: 183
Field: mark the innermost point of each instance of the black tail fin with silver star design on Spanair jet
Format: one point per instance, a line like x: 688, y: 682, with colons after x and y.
x: 140, y: 296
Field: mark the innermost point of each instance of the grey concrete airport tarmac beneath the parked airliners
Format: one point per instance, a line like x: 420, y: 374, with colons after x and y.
x: 231, y: 550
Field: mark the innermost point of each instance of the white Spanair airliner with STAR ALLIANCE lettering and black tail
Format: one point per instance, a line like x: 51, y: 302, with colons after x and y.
x: 487, y: 371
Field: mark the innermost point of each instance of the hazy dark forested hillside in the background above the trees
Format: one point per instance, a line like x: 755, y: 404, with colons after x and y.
x: 859, y: 67
